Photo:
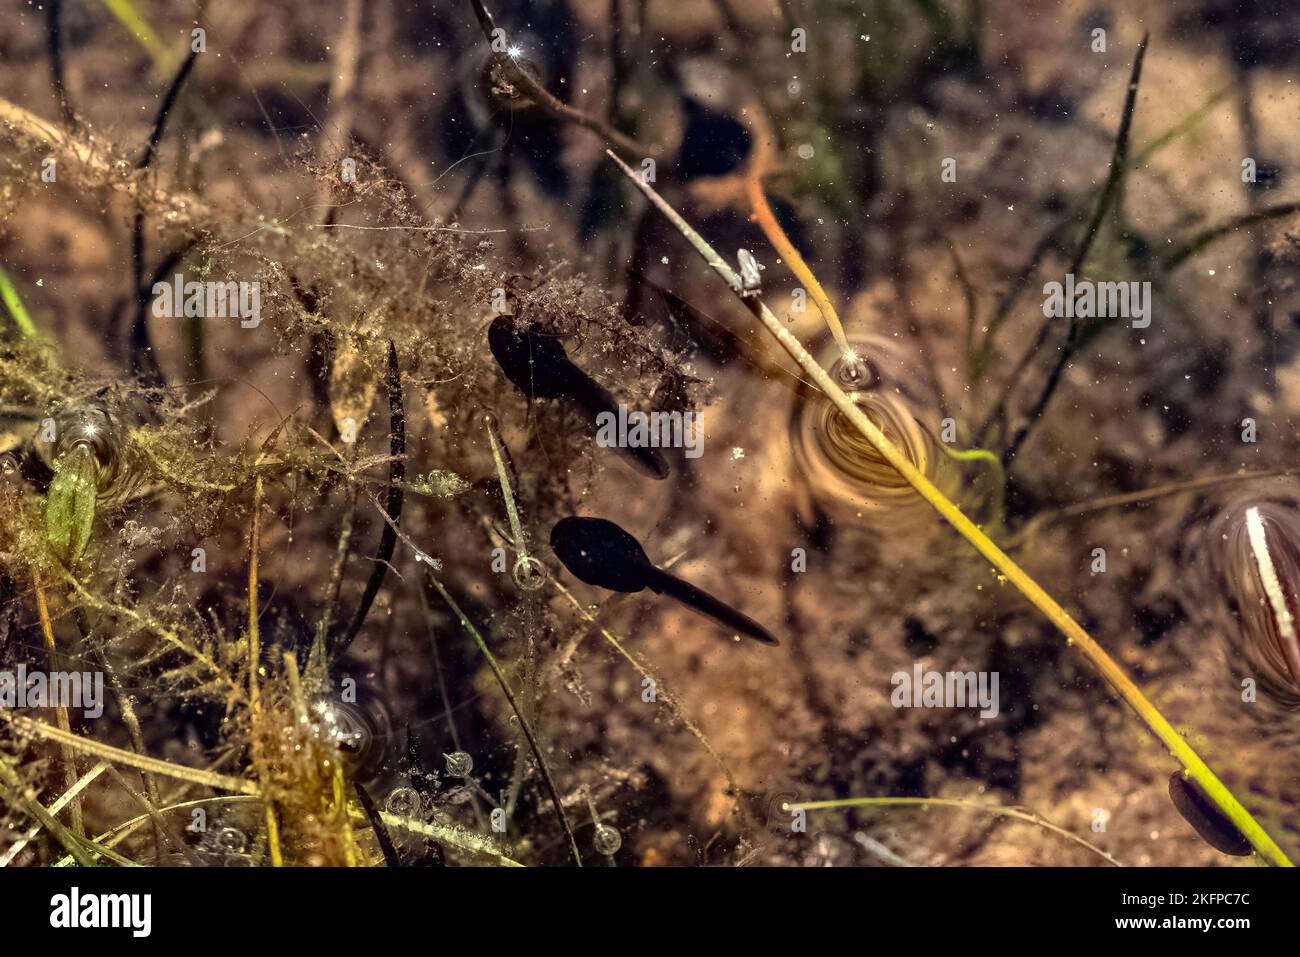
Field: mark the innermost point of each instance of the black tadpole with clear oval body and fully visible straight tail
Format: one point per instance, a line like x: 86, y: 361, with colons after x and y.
x: 604, y: 555
